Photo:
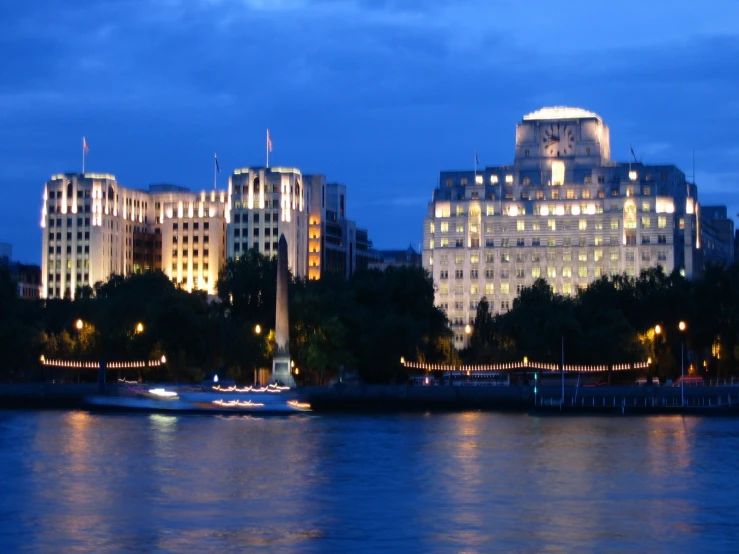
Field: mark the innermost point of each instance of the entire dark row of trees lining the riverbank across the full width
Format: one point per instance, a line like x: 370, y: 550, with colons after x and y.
x: 367, y: 323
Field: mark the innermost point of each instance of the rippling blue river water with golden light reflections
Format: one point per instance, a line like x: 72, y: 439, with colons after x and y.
x: 469, y: 482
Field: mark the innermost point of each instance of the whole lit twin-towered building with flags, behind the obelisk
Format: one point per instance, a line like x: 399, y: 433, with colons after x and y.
x: 94, y: 228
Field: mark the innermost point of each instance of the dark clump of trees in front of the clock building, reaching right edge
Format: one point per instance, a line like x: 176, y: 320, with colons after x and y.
x: 614, y: 319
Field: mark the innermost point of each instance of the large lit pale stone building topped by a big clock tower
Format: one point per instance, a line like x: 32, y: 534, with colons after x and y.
x: 563, y: 211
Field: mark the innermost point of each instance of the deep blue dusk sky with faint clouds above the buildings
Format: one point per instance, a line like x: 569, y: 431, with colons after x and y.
x: 377, y: 94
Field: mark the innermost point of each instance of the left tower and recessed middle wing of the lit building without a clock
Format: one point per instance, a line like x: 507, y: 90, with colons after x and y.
x: 94, y: 228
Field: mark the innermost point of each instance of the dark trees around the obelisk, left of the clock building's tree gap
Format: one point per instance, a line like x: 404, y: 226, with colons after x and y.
x: 364, y: 324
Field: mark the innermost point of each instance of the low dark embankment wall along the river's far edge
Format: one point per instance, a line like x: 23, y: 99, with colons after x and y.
x: 722, y: 400
